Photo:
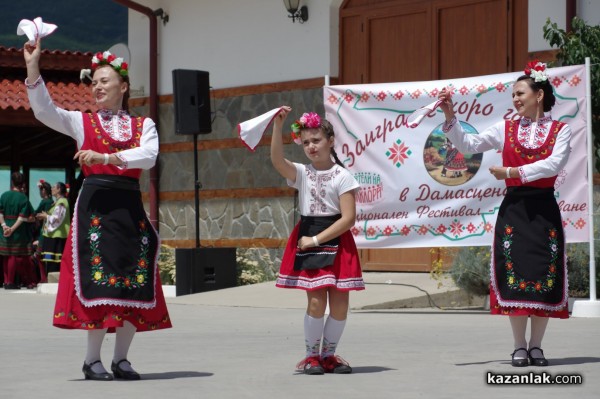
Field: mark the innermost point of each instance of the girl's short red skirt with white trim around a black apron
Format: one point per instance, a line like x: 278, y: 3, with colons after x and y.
x: 344, y: 274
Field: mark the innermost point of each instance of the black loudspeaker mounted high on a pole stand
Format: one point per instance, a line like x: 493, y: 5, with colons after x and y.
x: 191, y: 96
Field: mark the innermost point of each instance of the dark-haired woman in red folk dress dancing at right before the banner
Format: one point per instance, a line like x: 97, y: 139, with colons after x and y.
x: 528, y: 269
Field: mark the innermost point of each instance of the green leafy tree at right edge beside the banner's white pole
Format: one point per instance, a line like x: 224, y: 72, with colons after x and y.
x: 573, y: 47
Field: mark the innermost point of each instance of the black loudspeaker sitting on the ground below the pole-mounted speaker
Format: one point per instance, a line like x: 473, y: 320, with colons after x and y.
x: 204, y: 269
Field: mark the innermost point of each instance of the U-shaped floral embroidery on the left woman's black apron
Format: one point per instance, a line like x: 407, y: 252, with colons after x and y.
x: 100, y: 277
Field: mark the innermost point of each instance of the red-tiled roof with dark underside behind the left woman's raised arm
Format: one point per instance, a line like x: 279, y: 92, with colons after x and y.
x: 24, y: 141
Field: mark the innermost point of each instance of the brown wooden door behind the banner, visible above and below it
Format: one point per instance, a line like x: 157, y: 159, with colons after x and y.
x: 414, y: 40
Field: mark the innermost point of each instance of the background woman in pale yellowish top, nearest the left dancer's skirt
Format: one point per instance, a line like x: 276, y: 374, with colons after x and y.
x: 56, y: 228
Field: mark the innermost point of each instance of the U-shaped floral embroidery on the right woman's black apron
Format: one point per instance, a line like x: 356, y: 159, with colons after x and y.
x: 518, y: 283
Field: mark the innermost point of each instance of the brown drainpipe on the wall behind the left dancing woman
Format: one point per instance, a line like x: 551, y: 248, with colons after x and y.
x: 153, y: 98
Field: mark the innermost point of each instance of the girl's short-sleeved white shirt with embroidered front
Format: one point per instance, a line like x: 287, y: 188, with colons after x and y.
x: 320, y: 190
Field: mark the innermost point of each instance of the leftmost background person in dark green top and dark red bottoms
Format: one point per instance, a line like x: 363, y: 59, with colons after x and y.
x: 16, y: 240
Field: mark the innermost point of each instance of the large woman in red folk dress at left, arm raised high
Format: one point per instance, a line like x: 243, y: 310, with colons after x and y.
x: 109, y: 279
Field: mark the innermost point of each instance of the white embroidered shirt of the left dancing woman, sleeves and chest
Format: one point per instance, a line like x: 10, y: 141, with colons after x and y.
x: 71, y: 124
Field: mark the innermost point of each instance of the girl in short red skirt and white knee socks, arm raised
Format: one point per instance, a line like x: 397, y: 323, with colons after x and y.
x: 321, y: 256
